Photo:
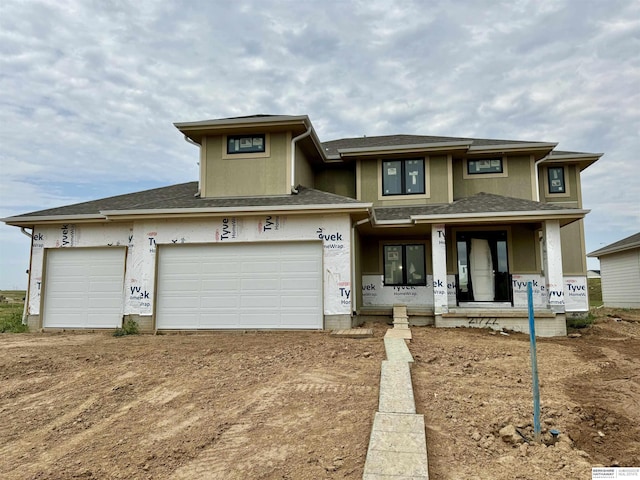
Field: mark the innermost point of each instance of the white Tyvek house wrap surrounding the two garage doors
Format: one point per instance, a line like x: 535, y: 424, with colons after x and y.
x: 142, y: 238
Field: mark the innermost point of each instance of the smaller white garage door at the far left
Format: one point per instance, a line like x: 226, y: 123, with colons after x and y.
x: 84, y: 288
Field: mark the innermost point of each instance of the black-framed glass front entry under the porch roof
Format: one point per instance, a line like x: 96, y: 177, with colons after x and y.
x: 483, y: 267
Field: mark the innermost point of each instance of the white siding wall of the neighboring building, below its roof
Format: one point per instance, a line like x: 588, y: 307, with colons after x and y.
x: 621, y: 279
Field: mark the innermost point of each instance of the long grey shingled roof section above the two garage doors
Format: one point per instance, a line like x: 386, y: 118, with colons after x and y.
x: 181, y: 199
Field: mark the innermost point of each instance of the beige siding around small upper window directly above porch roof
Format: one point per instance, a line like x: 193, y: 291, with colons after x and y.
x: 517, y: 183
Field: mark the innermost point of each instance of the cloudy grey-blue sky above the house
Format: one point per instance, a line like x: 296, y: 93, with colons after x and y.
x: 89, y: 90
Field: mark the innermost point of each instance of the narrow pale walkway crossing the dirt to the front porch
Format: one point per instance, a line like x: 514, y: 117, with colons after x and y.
x: 398, y: 446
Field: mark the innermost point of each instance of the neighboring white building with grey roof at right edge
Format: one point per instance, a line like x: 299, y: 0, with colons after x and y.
x: 620, y: 272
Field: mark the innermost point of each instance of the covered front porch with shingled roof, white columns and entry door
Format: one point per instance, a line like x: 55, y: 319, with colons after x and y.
x: 464, y: 264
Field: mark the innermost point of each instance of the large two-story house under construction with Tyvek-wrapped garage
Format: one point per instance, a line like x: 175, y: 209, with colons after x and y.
x: 284, y: 231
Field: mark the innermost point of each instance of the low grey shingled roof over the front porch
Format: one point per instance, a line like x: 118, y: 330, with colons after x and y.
x: 481, y: 207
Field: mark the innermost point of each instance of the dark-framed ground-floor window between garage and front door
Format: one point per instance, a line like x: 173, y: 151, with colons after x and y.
x: 404, y: 265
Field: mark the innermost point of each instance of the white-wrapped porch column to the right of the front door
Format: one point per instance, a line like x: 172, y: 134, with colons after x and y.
x: 554, y: 279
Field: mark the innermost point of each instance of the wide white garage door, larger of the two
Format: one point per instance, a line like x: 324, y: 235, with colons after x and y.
x: 258, y: 285
